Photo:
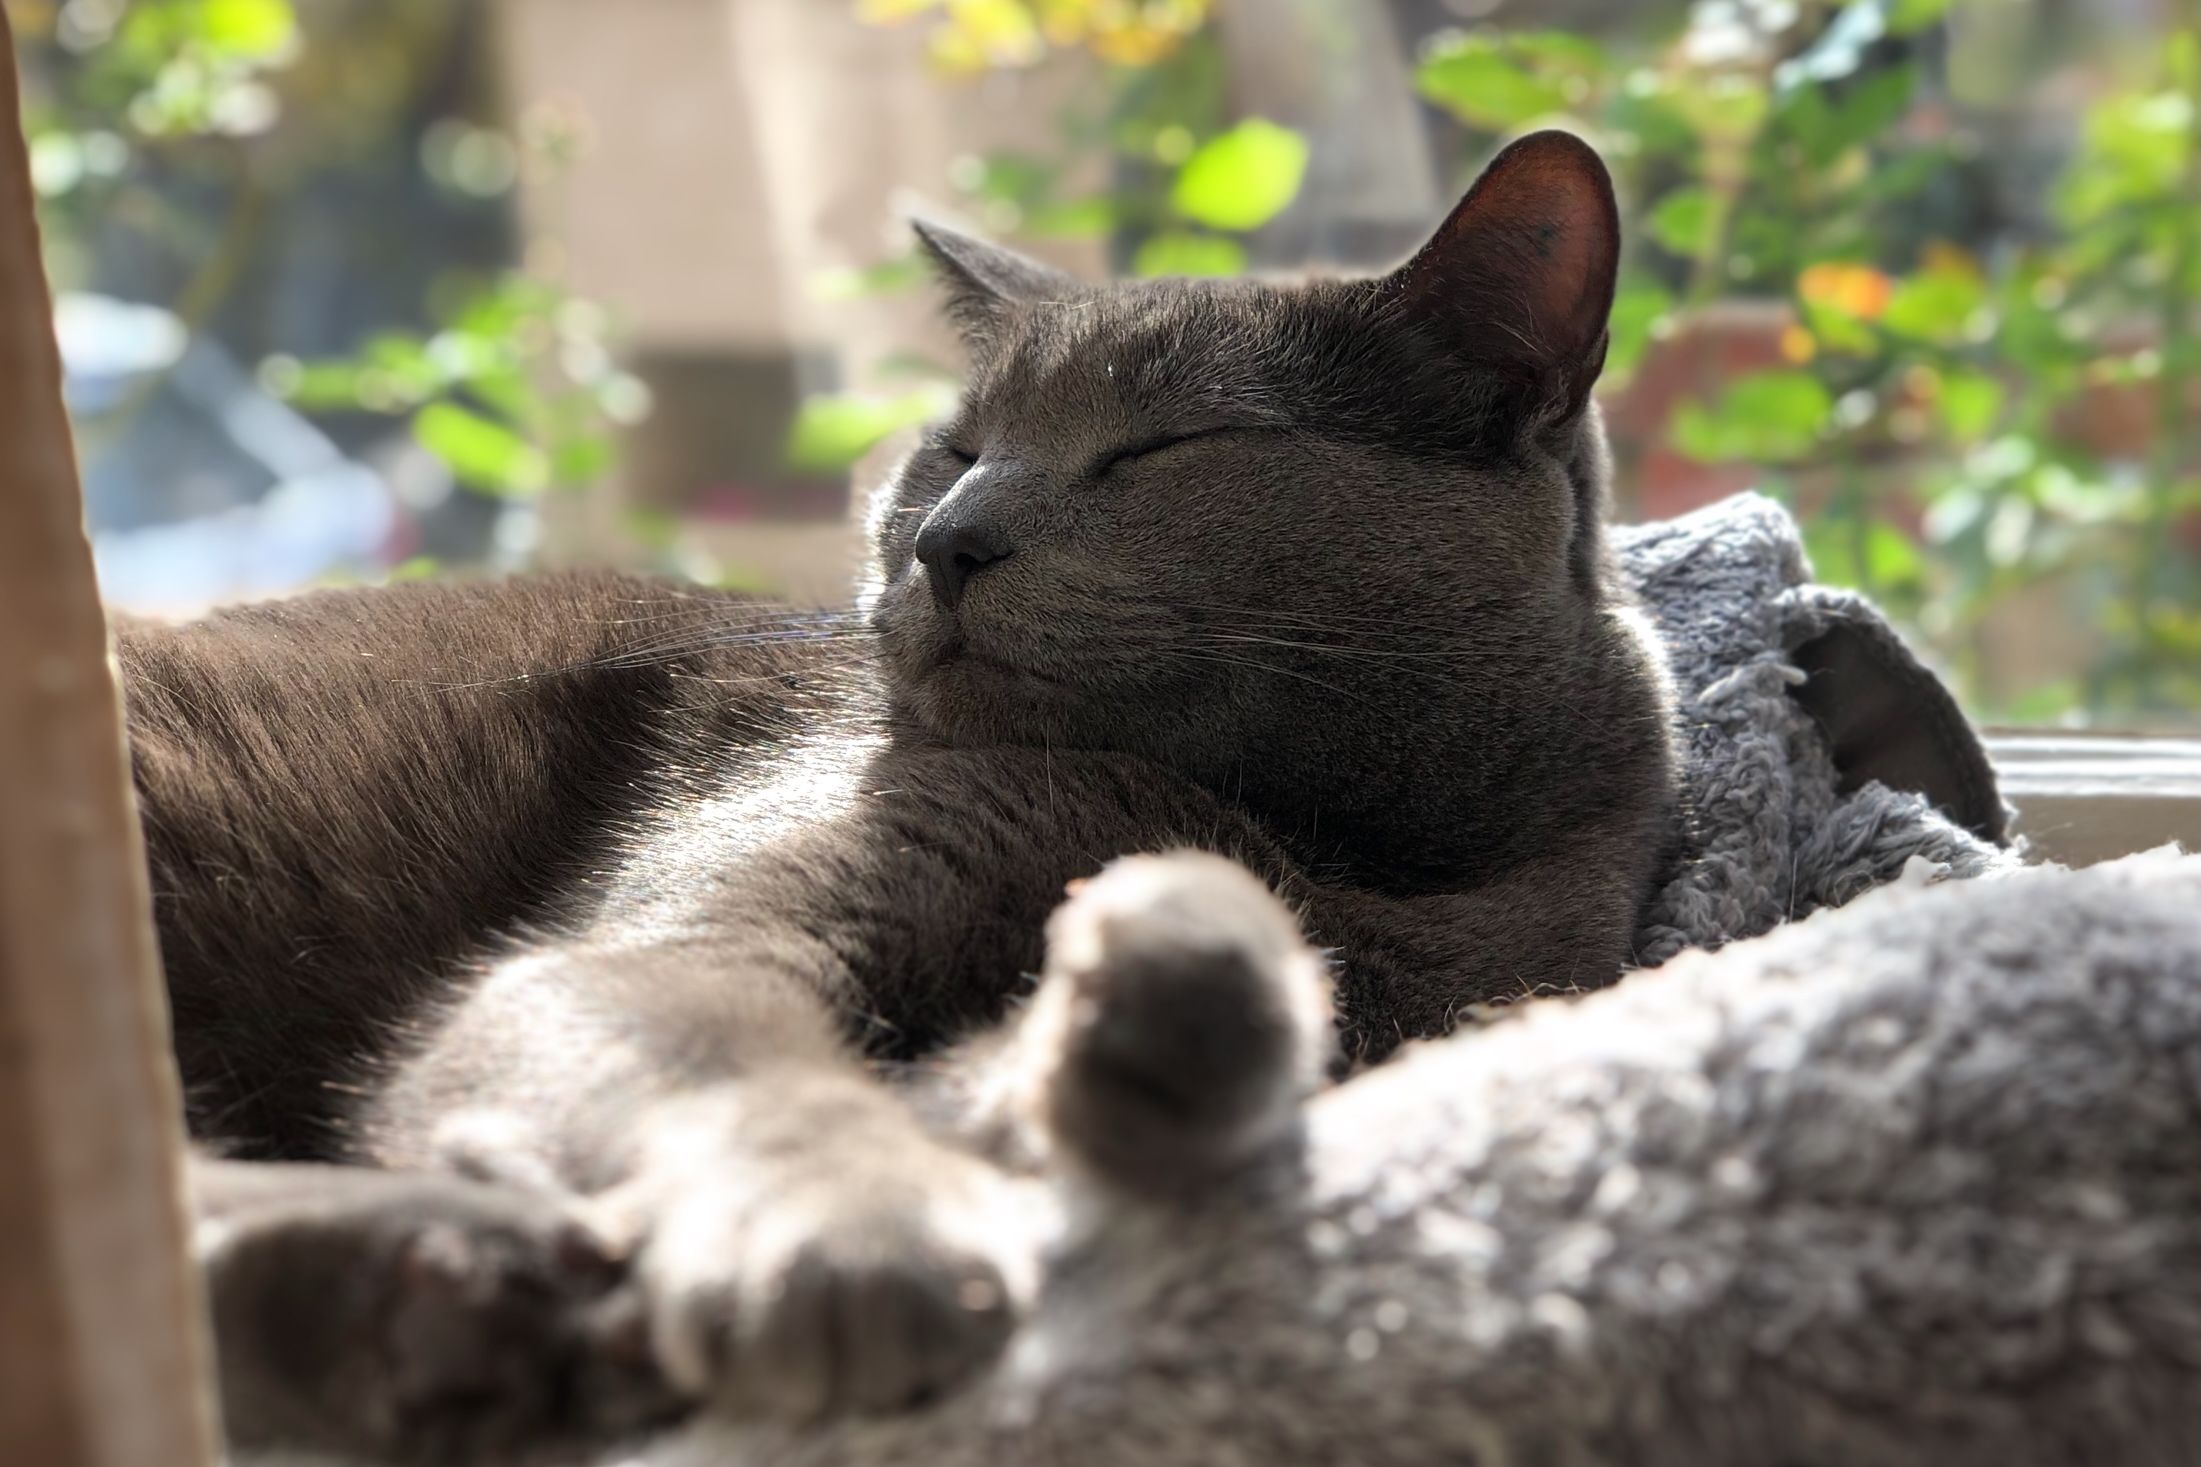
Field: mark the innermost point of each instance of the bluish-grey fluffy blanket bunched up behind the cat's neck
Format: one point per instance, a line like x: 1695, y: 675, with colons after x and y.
x: 1777, y: 681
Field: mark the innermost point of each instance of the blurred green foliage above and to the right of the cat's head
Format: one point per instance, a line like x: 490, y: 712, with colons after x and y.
x: 1940, y: 410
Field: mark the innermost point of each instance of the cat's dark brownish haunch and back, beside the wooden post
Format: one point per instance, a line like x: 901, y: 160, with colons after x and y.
x: 347, y: 795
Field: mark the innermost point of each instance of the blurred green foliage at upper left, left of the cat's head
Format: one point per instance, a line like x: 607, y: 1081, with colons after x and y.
x: 516, y: 390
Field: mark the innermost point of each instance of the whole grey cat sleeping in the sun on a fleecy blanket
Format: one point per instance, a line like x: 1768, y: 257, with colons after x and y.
x: 589, y: 912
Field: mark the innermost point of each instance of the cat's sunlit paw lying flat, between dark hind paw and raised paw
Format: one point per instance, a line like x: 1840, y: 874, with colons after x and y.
x: 831, y: 1264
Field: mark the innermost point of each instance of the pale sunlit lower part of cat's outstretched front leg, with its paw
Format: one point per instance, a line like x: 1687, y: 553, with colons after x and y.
x: 804, y: 1244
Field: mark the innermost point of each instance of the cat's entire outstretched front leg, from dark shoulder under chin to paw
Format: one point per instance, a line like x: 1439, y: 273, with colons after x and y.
x: 692, y: 1070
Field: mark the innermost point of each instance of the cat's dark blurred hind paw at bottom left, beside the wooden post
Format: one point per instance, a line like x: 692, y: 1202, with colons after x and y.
x: 415, y: 1319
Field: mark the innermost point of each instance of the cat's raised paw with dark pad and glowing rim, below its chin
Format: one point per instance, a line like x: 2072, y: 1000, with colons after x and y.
x: 1181, y: 1022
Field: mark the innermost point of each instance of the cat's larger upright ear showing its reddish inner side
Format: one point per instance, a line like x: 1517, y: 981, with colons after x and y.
x: 1520, y: 278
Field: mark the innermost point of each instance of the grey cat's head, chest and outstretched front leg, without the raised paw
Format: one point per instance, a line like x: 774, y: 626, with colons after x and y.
x: 1311, y: 575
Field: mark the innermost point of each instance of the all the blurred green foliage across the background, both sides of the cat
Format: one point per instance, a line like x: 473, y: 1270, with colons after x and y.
x: 1967, y: 419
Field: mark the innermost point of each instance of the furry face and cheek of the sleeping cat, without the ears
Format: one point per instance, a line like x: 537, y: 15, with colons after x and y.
x: 1337, y: 591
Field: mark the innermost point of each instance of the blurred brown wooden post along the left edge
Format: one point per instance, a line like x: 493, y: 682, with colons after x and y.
x: 102, y: 1332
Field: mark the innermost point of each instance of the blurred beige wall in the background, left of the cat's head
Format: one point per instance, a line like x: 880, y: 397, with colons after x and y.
x: 725, y: 157
